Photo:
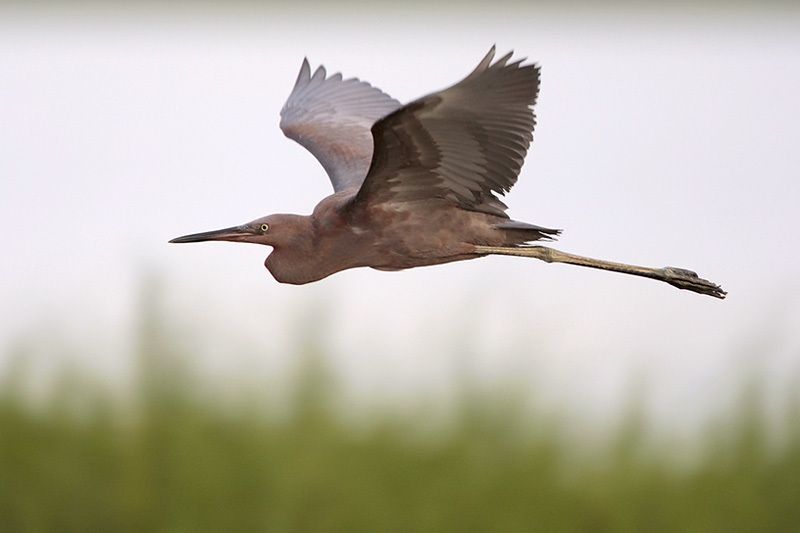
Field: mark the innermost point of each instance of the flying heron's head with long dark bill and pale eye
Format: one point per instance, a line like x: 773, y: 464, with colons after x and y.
x: 271, y: 230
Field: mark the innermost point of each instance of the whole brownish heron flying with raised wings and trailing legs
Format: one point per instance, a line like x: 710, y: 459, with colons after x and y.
x: 415, y: 184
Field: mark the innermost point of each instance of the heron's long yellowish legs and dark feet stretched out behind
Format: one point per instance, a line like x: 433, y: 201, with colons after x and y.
x: 677, y: 277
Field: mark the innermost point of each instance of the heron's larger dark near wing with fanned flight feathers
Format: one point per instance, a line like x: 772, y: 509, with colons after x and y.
x: 464, y: 144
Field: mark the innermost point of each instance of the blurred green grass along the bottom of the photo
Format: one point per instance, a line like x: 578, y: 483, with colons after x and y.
x: 166, y: 457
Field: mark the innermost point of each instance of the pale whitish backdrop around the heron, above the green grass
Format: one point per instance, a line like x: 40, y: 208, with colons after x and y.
x: 664, y: 138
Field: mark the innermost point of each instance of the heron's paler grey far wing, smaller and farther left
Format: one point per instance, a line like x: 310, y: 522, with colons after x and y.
x: 332, y: 117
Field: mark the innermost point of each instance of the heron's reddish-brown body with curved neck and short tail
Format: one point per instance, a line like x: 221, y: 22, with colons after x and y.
x: 341, y: 234
